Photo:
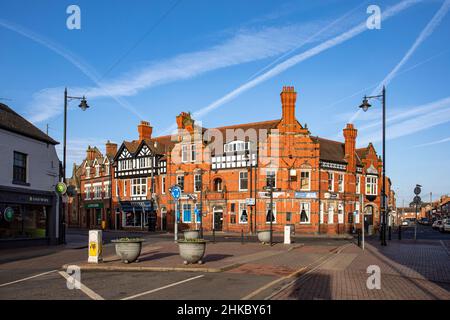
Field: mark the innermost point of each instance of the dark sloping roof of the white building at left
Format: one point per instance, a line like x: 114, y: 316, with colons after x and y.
x: 12, y: 121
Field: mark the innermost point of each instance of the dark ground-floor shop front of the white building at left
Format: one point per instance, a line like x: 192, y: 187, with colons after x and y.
x: 27, y: 216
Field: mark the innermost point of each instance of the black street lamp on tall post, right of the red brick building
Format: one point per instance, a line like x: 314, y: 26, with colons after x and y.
x: 365, y: 106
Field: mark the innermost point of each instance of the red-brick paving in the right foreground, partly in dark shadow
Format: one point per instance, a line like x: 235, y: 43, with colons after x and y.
x: 409, y: 271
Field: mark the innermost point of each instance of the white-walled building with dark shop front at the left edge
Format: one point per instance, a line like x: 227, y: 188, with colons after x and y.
x: 29, y: 172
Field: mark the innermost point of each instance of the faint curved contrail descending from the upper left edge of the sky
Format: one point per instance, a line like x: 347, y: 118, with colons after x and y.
x: 69, y: 56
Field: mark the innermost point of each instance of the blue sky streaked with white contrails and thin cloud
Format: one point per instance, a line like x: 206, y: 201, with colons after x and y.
x: 229, y: 60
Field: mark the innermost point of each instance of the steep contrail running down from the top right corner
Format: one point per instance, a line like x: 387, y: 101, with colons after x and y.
x: 426, y: 32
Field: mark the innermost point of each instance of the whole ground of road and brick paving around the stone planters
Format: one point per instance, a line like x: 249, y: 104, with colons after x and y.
x: 309, y: 268
